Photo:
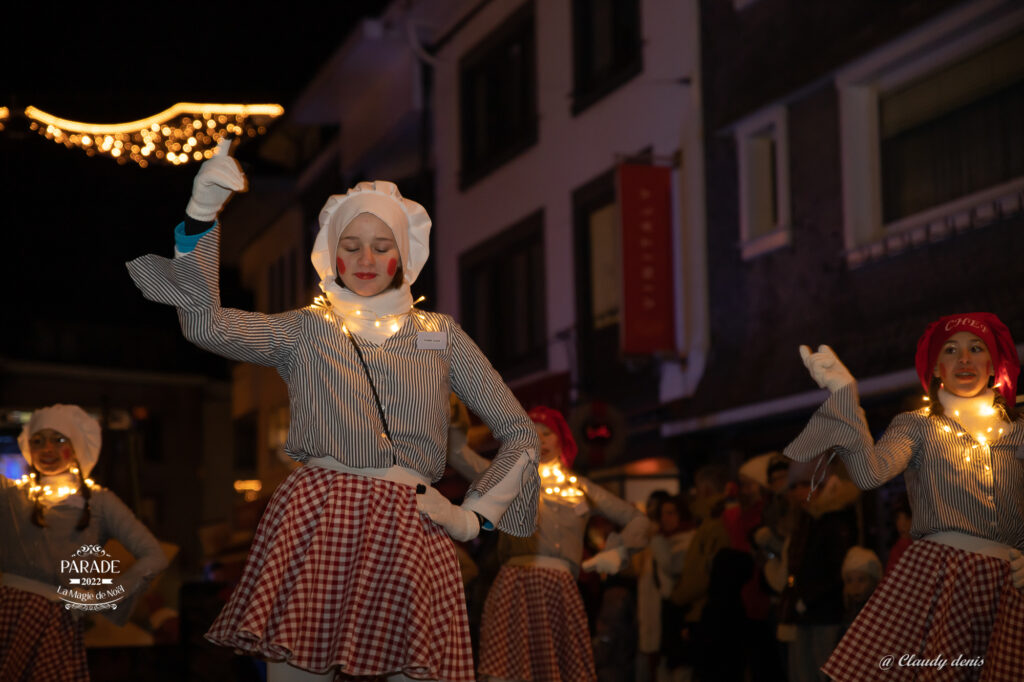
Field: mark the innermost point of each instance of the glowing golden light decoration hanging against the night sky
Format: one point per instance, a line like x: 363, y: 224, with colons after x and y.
x: 184, y: 134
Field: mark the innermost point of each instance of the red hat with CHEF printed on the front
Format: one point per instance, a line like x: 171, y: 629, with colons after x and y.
x: 990, y: 329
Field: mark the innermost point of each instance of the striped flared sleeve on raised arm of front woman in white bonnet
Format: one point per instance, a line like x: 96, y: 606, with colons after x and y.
x: 191, y: 283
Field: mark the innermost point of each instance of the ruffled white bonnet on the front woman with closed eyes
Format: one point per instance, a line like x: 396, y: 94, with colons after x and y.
x: 409, y: 223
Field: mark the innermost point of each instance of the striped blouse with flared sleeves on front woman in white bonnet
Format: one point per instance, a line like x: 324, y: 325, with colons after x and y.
x: 333, y: 410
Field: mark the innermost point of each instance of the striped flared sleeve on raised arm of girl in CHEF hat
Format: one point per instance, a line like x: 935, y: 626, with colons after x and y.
x: 840, y: 423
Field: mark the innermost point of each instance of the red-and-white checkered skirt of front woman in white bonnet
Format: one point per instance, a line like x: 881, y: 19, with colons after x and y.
x: 345, y: 572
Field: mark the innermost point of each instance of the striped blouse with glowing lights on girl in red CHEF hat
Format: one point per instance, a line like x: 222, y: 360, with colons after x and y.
x: 954, y: 482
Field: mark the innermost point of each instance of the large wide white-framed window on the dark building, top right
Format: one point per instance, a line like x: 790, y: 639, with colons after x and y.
x: 932, y: 141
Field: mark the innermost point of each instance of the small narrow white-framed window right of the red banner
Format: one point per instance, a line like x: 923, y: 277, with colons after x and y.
x: 764, y: 182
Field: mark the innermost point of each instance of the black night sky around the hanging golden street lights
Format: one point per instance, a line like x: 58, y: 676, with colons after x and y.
x: 71, y: 222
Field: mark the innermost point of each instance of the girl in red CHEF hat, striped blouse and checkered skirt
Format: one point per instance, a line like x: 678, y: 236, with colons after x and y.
x: 955, y: 599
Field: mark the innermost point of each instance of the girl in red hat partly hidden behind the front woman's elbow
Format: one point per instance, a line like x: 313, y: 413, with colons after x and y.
x: 534, y: 625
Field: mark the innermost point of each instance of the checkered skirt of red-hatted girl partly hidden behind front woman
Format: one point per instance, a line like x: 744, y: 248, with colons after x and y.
x: 535, y: 628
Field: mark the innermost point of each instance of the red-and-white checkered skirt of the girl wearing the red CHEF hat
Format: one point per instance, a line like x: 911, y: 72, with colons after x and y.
x: 938, y: 602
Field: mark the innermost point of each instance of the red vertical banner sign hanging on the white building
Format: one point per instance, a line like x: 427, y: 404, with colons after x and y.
x: 649, y: 322
